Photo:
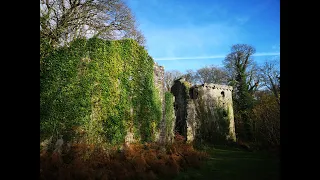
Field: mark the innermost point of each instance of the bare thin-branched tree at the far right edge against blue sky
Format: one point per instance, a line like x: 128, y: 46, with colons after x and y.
x: 270, y: 75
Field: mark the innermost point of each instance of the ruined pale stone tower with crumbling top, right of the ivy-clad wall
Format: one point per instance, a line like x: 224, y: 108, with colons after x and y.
x: 204, y: 112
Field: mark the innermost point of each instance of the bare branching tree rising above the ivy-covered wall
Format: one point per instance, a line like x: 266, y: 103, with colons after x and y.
x: 61, y: 21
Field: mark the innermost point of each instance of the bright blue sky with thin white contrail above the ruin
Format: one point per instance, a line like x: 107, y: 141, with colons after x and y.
x: 190, y: 34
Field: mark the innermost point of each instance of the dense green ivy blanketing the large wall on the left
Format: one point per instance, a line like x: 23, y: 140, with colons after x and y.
x: 103, y: 87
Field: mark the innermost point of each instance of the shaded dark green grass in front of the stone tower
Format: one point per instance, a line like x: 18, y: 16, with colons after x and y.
x: 233, y: 164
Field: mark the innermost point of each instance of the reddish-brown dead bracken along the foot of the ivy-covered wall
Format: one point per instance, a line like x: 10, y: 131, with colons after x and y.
x: 135, y: 161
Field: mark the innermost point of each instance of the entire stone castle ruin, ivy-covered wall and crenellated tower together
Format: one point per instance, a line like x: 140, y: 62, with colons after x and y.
x: 111, y: 100
